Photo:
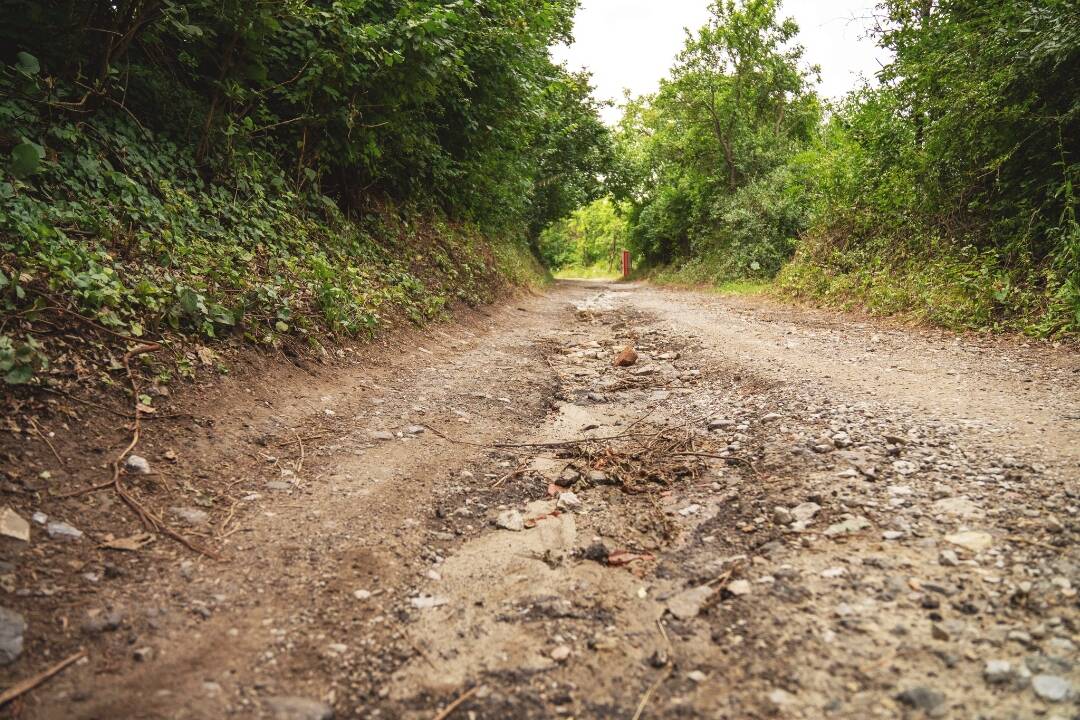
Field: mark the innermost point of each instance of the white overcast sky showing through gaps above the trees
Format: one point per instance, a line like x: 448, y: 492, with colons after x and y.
x: 632, y: 44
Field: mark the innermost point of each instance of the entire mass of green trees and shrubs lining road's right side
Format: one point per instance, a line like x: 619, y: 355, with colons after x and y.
x: 948, y: 189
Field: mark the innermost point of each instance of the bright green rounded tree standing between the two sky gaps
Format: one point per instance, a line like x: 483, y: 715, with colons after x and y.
x: 706, y: 158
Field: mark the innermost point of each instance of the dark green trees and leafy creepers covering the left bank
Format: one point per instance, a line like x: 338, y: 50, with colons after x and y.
x: 258, y: 167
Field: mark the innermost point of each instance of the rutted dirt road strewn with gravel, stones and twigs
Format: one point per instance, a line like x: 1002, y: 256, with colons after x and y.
x: 795, y: 514
